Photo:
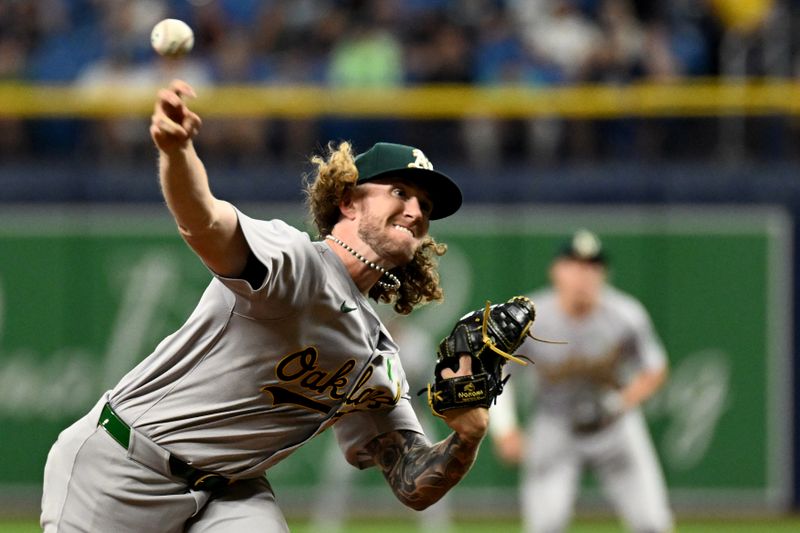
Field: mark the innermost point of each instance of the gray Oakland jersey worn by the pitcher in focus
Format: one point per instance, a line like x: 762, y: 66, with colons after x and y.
x: 255, y: 372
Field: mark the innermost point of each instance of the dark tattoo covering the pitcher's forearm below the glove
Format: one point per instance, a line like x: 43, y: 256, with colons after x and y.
x: 418, y: 472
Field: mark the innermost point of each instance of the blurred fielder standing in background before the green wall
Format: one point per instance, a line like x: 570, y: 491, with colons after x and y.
x: 587, y: 399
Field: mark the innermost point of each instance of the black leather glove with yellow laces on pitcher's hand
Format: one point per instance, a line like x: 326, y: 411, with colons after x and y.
x: 489, y: 336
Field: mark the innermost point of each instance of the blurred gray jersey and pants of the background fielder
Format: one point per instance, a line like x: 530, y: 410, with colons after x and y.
x: 614, y: 340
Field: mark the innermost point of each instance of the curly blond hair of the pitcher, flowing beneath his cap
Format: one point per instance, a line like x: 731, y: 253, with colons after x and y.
x: 336, y: 176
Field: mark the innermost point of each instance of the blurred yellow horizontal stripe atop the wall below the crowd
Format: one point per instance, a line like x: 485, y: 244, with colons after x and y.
x: 697, y: 98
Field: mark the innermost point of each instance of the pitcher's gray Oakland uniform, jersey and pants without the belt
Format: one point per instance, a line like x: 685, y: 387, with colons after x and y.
x: 251, y: 376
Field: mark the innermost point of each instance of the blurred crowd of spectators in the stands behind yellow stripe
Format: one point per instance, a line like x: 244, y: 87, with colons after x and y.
x: 389, y: 43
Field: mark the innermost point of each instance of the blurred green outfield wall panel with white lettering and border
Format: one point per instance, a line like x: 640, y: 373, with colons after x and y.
x: 85, y: 294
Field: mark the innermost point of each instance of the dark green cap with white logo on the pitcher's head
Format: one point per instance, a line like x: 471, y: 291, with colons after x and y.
x: 385, y: 160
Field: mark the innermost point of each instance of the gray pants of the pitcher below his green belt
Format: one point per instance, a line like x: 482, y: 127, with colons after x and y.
x: 92, y: 483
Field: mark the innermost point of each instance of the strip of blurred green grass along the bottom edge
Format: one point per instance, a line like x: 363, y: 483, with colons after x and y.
x: 485, y: 526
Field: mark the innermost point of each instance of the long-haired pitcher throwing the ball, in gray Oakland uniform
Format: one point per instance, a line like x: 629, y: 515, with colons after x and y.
x: 283, y: 344
